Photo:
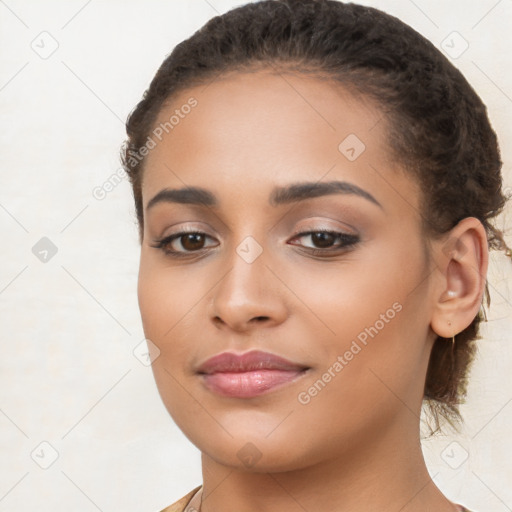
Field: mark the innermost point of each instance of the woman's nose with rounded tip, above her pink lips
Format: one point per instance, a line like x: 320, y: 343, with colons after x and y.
x: 249, y: 295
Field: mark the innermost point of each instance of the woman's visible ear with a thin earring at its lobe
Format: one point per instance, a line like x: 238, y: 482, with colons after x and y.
x: 462, y: 259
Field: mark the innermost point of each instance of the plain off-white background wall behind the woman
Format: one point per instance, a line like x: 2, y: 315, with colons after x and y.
x: 69, y: 326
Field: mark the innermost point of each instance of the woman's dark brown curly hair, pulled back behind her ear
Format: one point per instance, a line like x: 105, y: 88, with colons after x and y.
x: 439, y: 128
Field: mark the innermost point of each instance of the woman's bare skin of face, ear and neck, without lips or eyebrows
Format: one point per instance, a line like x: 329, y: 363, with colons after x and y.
x: 248, y: 134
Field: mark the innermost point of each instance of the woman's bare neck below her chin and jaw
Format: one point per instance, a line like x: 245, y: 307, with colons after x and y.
x: 385, y: 471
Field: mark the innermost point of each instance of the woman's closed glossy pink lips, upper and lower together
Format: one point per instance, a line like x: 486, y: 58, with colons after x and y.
x: 248, y: 375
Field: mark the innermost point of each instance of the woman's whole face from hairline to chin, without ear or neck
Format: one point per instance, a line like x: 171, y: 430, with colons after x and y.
x: 295, y: 259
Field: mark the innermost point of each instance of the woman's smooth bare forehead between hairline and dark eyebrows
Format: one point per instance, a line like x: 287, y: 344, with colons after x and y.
x: 262, y: 127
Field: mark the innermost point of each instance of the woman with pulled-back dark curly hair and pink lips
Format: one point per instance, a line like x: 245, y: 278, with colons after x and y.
x: 314, y: 184
